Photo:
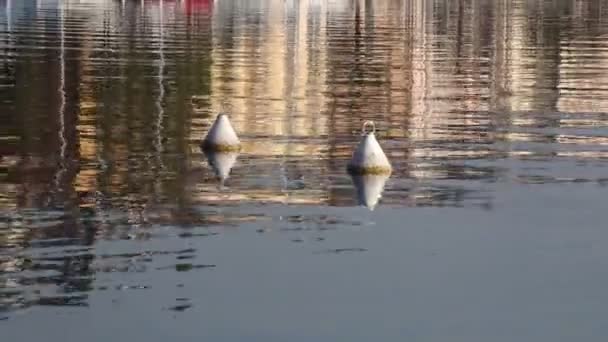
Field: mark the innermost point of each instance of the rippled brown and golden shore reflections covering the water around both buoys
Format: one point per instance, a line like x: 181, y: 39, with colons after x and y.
x: 104, y: 104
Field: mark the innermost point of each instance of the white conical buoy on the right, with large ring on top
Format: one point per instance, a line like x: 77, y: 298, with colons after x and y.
x: 368, y: 158
